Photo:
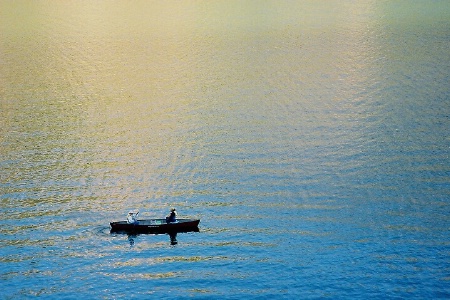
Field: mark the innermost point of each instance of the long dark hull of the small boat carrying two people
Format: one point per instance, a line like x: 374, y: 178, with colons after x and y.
x: 156, y: 226
